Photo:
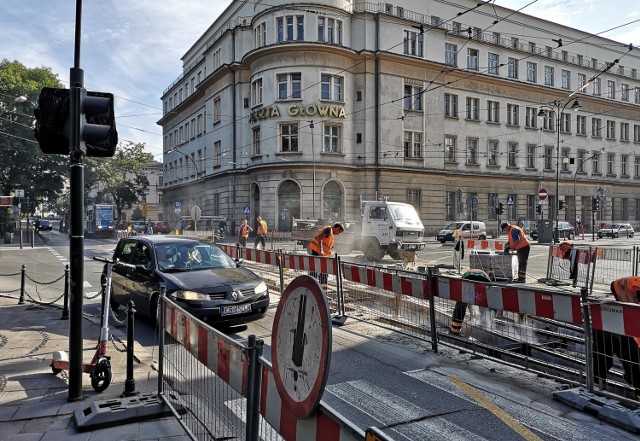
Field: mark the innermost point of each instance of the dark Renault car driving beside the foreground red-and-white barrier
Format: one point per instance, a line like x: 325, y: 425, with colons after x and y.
x: 199, y: 277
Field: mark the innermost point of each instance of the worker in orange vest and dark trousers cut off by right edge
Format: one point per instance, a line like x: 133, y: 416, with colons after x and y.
x: 607, y: 344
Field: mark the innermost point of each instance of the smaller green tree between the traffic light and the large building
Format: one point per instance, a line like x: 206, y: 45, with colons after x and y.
x: 120, y: 180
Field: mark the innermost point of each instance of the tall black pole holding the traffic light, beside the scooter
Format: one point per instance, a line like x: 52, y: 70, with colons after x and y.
x: 76, y: 231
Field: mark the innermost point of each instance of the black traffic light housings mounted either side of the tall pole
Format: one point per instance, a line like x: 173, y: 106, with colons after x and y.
x: 98, y: 135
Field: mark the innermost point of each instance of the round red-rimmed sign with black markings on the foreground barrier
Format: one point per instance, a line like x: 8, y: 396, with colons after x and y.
x: 301, y: 345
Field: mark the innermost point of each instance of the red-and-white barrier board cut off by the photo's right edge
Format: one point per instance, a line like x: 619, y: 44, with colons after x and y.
x: 617, y: 317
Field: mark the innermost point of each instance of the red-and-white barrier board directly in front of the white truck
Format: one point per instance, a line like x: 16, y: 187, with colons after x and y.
x: 414, y: 287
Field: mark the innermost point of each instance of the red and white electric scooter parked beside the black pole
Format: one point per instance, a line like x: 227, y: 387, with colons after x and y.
x: 100, y: 367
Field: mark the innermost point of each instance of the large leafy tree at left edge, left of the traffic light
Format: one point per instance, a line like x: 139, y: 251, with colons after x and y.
x: 22, y: 165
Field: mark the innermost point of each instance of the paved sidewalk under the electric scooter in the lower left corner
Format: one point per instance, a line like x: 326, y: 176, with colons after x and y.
x: 33, y: 401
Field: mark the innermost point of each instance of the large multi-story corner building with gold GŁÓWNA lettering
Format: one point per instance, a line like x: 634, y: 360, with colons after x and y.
x: 303, y: 109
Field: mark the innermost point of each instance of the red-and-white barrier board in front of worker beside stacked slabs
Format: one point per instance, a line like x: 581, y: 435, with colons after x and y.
x: 557, y: 306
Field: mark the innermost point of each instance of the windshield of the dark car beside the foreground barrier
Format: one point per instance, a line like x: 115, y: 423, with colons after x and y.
x: 192, y: 256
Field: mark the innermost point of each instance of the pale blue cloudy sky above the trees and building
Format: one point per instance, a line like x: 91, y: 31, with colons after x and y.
x: 133, y: 48
